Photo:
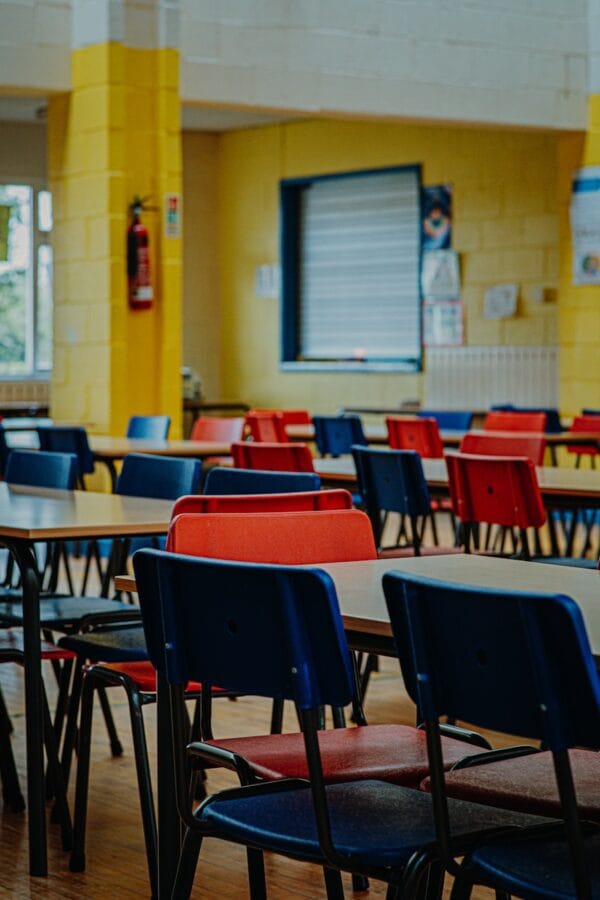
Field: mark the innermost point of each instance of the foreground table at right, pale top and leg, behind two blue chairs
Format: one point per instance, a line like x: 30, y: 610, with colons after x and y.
x: 362, y: 604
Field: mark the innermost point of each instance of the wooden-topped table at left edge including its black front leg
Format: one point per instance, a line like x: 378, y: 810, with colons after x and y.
x: 28, y: 515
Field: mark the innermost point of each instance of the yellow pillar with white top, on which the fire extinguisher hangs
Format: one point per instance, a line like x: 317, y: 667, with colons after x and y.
x: 116, y: 135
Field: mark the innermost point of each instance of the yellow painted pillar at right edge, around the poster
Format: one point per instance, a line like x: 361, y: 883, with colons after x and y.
x: 579, y: 305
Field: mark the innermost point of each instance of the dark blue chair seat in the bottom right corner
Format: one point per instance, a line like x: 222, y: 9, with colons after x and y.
x: 535, y: 868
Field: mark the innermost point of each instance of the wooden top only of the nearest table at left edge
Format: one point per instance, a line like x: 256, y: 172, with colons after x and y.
x: 36, y: 514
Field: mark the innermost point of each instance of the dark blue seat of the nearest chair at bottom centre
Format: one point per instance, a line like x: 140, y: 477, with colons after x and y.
x: 400, y: 821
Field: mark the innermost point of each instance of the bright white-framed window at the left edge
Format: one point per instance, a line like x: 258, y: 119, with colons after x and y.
x: 25, y: 281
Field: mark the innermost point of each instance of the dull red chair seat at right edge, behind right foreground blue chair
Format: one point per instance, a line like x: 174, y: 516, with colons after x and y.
x: 528, y: 784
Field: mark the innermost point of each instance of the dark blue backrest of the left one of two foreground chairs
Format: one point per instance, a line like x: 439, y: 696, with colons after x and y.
x: 273, y: 631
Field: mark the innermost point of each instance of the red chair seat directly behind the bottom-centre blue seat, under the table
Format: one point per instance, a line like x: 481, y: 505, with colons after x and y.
x: 396, y: 753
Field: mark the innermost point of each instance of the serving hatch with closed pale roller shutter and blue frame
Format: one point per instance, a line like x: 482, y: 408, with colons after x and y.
x: 351, y: 250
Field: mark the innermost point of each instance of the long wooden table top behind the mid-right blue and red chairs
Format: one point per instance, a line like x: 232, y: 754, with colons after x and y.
x: 554, y: 481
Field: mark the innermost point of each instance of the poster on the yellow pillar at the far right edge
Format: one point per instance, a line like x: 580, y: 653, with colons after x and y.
x: 585, y: 225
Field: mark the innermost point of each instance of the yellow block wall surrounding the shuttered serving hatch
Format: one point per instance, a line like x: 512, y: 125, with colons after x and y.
x: 506, y: 229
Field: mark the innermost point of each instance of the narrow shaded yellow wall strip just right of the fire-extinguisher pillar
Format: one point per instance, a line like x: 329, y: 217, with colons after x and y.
x: 201, y: 313
